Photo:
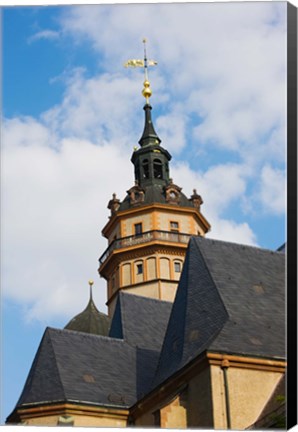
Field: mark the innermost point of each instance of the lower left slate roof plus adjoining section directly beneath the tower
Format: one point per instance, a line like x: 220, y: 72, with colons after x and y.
x: 107, y: 371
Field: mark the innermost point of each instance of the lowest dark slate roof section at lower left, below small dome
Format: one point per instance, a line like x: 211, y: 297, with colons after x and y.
x: 79, y: 367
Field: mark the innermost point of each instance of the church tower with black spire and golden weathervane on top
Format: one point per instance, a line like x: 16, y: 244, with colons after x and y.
x: 148, y: 232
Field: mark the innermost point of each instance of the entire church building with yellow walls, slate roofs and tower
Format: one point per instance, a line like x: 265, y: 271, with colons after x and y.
x: 195, y: 331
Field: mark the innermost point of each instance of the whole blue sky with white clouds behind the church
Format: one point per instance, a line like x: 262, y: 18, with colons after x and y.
x: 73, y: 113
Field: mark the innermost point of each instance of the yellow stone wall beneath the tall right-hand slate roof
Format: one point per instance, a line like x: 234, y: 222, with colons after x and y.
x: 197, y: 399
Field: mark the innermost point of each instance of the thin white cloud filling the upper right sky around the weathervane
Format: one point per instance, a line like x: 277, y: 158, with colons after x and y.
x: 233, y: 81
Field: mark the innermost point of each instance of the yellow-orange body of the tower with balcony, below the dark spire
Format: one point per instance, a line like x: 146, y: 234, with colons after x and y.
x: 149, y: 263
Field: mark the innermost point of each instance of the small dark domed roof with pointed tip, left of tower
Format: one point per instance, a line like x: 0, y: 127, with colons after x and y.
x: 91, y: 320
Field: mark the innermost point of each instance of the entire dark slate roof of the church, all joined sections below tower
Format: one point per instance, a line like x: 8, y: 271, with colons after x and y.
x: 230, y: 299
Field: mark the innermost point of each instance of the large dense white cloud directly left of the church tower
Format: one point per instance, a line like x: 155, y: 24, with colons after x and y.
x: 53, y: 209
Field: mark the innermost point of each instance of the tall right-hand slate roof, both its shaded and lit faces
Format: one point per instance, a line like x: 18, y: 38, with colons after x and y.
x: 231, y: 299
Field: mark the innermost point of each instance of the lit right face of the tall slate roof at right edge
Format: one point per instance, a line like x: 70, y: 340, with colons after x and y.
x: 251, y: 282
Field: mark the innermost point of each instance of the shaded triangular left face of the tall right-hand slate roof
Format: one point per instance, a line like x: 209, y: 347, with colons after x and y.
x: 198, y: 314
